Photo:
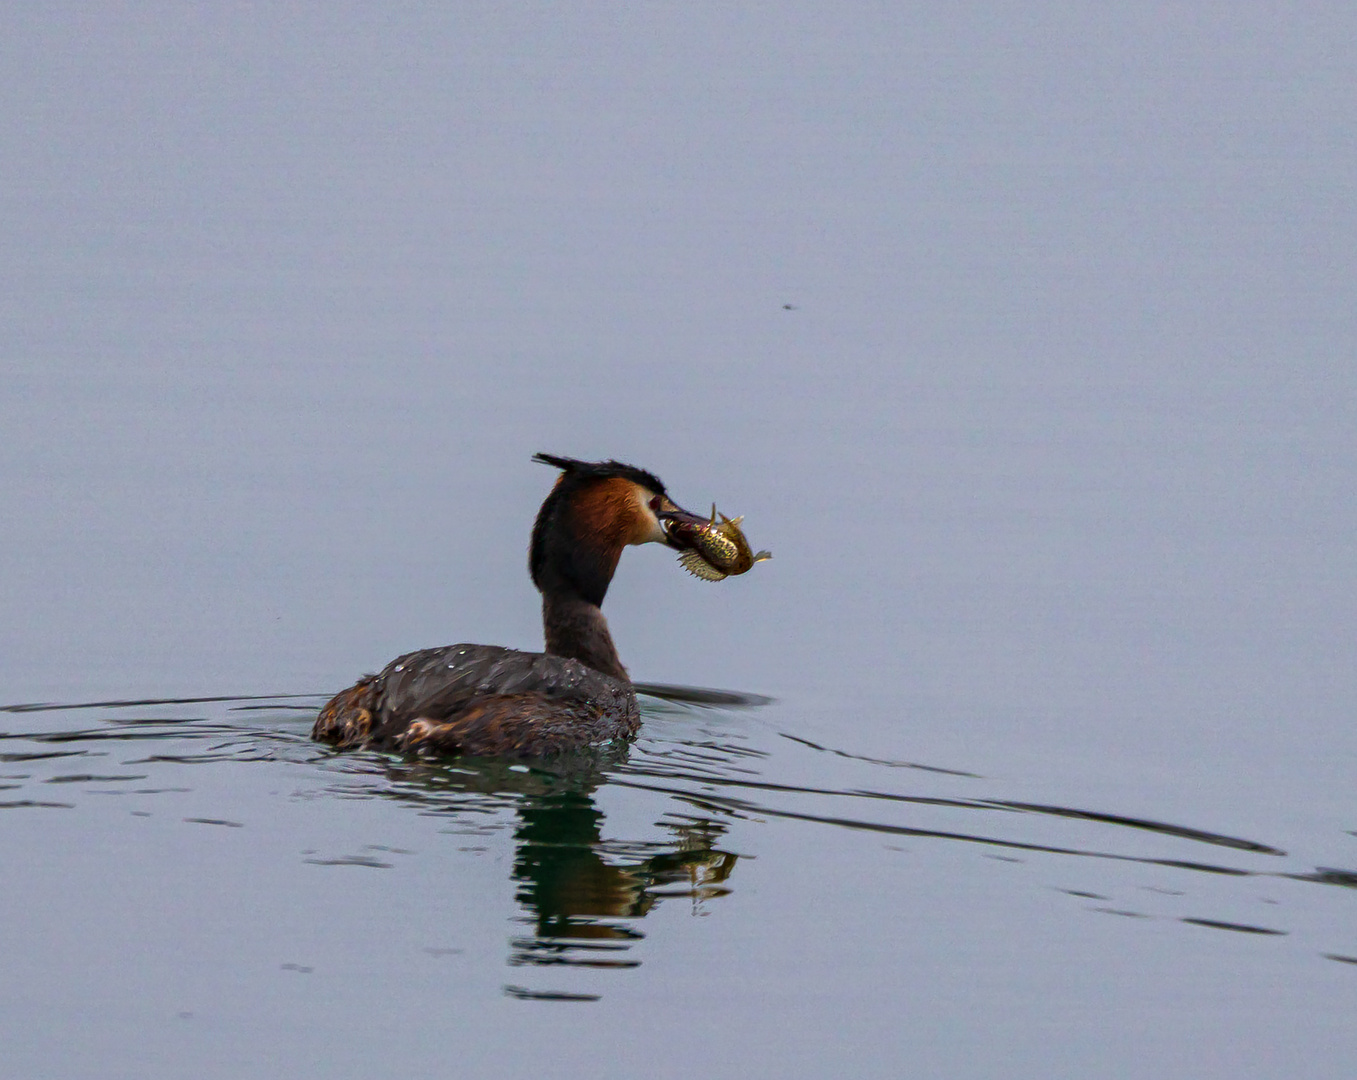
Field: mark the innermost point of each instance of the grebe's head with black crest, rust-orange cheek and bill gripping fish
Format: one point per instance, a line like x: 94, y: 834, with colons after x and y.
x: 595, y: 511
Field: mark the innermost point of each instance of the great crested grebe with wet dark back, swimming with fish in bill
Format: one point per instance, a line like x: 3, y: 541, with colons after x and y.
x: 488, y: 701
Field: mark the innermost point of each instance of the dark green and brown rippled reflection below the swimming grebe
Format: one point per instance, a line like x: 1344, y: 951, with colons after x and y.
x: 581, y: 895
